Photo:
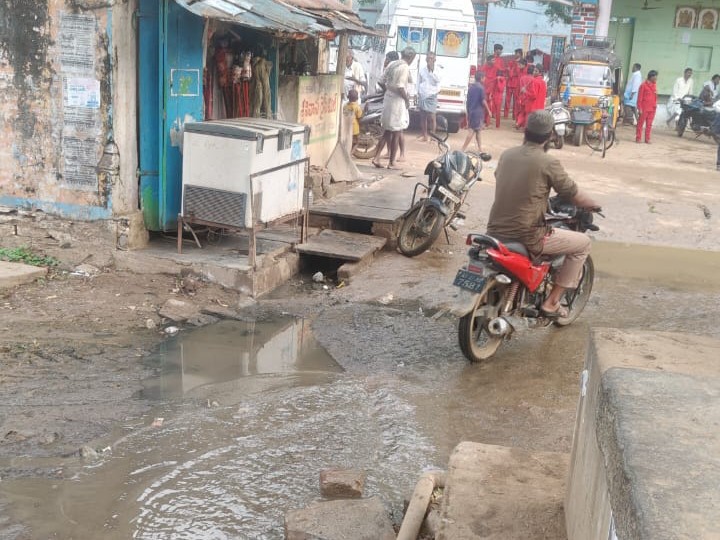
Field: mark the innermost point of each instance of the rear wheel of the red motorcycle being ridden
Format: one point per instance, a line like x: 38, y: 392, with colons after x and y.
x: 475, y: 341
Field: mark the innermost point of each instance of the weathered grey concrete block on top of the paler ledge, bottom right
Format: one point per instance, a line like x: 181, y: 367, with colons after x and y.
x: 658, y: 434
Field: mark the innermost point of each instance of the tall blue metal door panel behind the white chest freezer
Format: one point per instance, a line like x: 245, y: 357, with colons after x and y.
x: 170, y: 63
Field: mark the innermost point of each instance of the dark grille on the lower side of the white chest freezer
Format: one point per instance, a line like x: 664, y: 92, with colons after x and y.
x: 215, y: 205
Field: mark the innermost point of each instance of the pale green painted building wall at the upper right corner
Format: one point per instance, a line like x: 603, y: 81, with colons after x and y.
x: 658, y: 44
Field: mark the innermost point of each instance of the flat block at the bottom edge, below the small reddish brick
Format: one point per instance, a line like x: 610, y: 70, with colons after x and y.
x: 356, y: 519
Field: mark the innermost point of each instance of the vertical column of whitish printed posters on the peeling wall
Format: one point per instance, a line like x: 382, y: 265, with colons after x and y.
x: 82, y: 124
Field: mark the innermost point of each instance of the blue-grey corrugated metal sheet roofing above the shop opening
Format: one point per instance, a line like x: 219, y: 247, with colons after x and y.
x: 268, y: 15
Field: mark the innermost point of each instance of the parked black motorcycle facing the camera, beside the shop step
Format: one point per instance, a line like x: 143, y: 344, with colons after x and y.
x: 449, y: 179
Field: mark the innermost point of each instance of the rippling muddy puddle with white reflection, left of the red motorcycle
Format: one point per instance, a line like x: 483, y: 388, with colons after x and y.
x: 246, y: 416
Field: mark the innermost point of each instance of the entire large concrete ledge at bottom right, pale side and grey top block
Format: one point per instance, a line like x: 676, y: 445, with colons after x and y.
x: 645, y: 451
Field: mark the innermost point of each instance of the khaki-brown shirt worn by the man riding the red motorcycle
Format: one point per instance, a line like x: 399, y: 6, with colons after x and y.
x: 524, y: 177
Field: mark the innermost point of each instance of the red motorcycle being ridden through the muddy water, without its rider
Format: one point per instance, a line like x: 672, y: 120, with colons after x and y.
x: 503, y: 287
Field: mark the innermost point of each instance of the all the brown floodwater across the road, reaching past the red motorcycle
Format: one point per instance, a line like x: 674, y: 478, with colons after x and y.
x: 252, y: 412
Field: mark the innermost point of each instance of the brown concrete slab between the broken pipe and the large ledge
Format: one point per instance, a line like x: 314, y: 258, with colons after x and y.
x: 499, y: 493
